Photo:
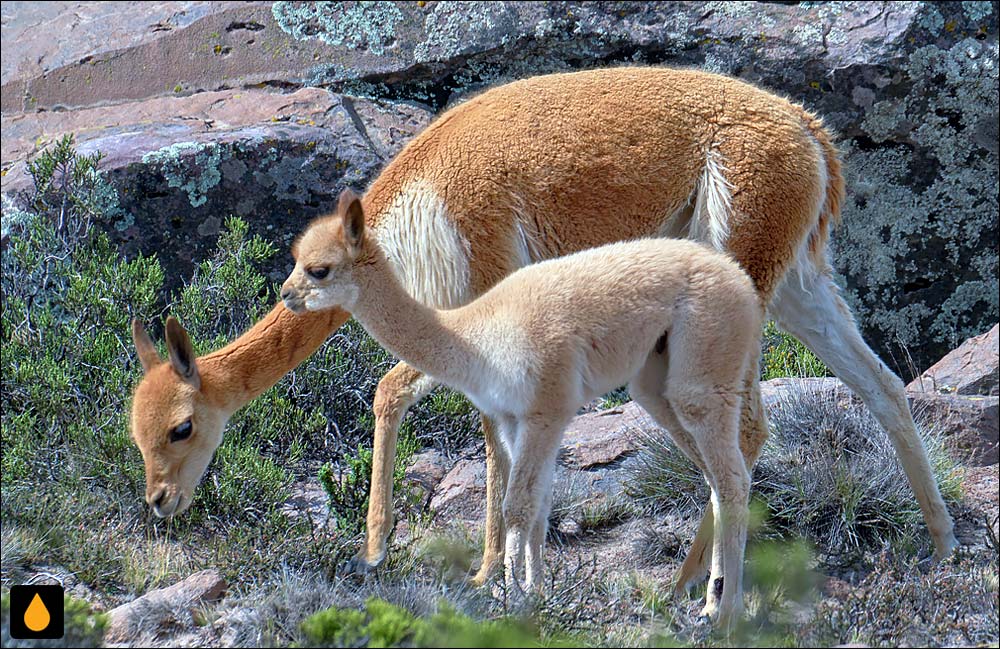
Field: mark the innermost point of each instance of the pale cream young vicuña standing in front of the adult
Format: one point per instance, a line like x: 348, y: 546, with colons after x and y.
x: 677, y: 320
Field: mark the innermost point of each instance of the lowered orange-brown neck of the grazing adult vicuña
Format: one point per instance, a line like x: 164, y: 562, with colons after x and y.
x: 275, y: 345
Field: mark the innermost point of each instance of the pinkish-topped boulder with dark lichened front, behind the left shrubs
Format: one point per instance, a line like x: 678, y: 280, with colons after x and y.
x: 182, y: 165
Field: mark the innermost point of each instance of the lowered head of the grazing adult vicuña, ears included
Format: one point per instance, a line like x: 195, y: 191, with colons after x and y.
x: 176, y: 425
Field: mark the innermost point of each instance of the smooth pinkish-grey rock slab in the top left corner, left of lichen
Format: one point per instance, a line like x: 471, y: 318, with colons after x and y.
x: 106, y: 55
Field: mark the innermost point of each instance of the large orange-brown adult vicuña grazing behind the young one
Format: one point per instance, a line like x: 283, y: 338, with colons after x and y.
x: 544, y: 167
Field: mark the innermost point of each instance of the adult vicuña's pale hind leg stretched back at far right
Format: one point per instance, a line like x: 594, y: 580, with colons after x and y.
x: 808, y: 306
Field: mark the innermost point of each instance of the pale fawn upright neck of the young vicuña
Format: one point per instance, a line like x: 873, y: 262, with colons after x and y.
x: 421, y: 336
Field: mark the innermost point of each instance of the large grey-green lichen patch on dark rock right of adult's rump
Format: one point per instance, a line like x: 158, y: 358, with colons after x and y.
x: 919, y: 238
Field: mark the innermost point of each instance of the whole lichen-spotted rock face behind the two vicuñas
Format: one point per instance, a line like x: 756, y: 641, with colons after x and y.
x: 268, y: 111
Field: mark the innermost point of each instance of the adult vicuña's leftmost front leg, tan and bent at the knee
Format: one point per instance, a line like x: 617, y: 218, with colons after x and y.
x: 397, y: 392
